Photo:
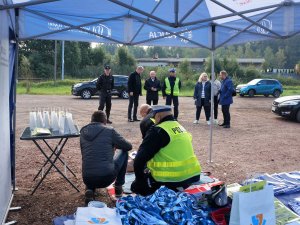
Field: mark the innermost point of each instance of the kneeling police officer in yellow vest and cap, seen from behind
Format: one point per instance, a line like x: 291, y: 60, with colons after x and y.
x: 166, y: 156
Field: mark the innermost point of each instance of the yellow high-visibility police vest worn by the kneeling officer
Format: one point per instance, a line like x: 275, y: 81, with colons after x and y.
x: 175, y: 162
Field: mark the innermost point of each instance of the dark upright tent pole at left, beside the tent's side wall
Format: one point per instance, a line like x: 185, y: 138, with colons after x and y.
x: 15, y: 95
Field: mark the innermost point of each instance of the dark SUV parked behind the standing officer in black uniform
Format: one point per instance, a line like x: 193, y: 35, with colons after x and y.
x: 88, y: 89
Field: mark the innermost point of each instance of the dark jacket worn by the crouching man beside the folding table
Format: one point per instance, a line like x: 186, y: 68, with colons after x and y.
x: 97, y: 143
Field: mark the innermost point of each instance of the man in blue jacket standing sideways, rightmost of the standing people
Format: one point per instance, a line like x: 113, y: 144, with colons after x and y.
x: 226, y: 100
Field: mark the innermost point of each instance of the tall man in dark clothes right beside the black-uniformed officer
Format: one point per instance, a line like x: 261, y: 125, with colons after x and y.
x: 135, y: 90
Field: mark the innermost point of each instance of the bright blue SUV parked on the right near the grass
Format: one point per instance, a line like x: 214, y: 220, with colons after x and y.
x: 264, y: 87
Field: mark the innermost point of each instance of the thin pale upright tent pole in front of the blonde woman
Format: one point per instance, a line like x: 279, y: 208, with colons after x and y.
x: 212, y: 92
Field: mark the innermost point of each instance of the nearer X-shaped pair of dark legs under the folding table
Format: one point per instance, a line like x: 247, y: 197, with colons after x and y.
x: 53, y: 165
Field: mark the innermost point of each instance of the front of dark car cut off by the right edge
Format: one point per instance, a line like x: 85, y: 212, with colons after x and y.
x: 288, y: 106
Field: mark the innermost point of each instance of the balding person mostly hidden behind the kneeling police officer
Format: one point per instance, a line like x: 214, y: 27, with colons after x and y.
x: 148, y: 119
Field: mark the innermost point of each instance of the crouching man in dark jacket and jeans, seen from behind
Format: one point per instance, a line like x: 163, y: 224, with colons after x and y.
x: 104, y: 156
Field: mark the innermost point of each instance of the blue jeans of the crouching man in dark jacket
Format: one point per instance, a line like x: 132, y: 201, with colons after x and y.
x: 120, y: 162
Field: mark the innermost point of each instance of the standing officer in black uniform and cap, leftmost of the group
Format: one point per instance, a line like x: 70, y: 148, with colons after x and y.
x: 105, y: 84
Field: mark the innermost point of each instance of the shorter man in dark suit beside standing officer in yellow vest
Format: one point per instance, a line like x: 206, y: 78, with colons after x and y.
x: 152, y: 86
